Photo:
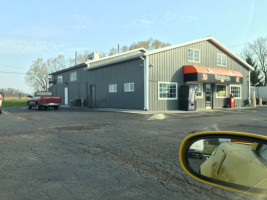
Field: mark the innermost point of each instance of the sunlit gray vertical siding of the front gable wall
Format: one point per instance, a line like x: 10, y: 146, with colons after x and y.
x: 168, y: 67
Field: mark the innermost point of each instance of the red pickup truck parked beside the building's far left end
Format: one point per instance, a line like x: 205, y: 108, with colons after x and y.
x: 43, y: 99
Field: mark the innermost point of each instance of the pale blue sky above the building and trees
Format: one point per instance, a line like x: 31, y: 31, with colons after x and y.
x: 32, y: 29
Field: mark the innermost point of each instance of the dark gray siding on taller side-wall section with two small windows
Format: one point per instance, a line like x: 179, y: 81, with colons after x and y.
x: 127, y: 72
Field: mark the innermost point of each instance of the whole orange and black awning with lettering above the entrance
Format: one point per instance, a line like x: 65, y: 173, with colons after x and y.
x: 211, y: 75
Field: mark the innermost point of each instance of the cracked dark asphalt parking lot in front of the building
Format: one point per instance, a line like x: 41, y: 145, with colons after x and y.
x: 87, y: 154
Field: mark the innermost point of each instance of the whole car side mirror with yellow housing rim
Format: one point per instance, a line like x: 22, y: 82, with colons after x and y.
x: 229, y: 160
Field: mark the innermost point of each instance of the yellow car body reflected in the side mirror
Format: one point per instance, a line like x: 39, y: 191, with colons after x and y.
x: 239, y: 164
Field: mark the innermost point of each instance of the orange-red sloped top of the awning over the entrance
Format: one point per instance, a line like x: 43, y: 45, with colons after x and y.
x: 189, y: 69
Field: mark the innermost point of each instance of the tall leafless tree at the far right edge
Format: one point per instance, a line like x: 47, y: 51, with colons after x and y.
x: 258, y: 49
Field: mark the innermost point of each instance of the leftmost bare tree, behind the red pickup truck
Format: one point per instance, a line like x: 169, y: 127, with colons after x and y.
x: 37, y: 76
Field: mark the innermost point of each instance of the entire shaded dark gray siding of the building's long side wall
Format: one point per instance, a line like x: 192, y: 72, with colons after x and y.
x: 126, y: 72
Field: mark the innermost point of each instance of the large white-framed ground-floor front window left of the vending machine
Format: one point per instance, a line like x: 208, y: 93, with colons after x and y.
x: 167, y: 90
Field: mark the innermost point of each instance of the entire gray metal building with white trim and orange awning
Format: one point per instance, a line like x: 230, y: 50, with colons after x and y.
x: 152, y: 80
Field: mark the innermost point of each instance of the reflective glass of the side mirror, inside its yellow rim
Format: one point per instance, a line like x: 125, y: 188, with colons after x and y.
x: 231, y: 160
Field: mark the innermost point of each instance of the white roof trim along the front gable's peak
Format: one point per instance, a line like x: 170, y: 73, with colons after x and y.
x: 209, y: 38
